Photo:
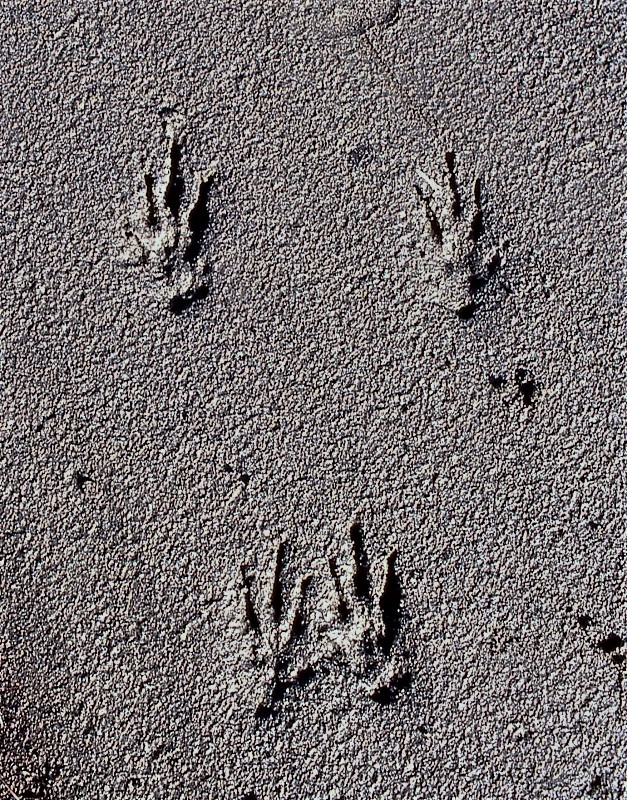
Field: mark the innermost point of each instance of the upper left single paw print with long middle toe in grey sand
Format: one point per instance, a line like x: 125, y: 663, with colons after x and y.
x: 171, y: 232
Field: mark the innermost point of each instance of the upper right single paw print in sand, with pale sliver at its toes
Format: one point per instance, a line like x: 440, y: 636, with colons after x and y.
x: 459, y: 242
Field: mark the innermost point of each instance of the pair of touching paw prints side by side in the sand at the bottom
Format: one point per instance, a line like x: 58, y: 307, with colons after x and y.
x: 358, y: 635
